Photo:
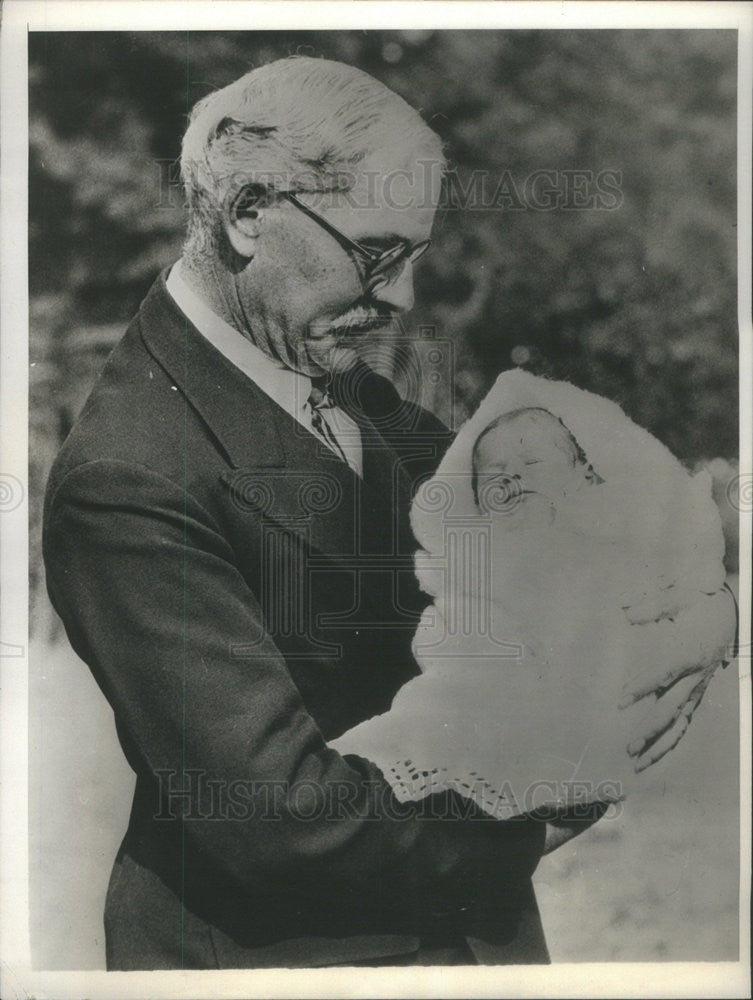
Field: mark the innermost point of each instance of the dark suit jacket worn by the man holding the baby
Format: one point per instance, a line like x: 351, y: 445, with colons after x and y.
x: 241, y: 597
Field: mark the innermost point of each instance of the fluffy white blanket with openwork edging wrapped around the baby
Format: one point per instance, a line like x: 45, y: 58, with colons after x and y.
x: 521, y: 601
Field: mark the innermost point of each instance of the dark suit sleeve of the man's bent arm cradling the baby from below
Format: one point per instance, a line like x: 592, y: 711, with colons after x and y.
x: 152, y: 601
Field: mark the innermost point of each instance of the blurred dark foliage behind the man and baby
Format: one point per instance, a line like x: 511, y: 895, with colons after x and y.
x: 635, y: 299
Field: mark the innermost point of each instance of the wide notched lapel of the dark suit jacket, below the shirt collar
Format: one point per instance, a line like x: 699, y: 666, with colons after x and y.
x: 278, y: 468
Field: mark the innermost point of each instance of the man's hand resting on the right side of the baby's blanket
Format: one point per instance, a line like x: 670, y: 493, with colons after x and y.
x: 675, y: 691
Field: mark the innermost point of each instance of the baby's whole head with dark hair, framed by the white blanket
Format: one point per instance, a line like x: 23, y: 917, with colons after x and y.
x: 528, y: 460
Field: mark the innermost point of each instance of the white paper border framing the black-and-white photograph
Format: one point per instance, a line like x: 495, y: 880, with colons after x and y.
x: 724, y: 979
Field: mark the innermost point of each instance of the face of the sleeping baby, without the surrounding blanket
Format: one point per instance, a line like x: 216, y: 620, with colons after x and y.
x: 523, y: 459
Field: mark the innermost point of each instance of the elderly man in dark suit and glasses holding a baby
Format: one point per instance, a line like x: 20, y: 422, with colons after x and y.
x: 226, y: 540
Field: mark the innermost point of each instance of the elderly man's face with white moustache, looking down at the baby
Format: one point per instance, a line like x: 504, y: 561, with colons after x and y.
x: 303, y: 290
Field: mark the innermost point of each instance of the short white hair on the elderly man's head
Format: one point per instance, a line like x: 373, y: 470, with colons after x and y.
x: 297, y: 124
